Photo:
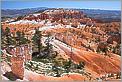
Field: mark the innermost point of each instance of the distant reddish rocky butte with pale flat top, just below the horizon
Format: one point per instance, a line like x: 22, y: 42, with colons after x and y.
x: 62, y: 16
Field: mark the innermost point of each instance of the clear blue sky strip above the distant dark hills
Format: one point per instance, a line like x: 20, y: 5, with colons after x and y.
x: 83, y: 4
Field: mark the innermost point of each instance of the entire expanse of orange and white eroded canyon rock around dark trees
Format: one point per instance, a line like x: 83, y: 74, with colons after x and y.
x: 75, y: 37
